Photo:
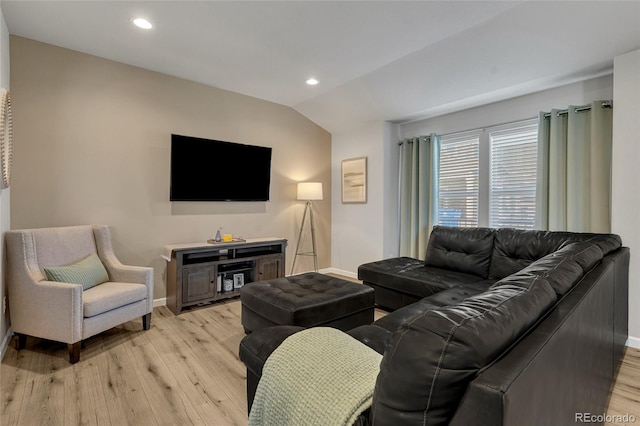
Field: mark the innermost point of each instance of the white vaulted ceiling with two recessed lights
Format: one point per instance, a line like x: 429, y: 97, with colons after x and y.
x: 376, y: 60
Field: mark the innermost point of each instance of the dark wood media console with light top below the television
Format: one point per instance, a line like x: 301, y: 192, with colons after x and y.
x: 201, y: 273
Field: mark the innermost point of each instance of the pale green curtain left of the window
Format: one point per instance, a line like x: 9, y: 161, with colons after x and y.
x: 417, y: 193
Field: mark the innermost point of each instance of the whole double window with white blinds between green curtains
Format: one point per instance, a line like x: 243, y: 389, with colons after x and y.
x: 488, y: 177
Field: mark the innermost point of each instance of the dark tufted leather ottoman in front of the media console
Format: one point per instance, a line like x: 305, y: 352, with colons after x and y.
x: 306, y: 300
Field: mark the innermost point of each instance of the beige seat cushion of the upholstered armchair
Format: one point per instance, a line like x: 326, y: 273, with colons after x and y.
x: 111, y: 295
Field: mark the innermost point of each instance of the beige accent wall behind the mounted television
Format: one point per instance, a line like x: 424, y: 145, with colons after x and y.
x: 92, y: 145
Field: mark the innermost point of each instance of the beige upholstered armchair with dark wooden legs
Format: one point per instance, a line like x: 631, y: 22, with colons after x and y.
x: 63, y: 311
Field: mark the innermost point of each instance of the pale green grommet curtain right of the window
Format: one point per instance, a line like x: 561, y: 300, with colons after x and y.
x: 574, y: 169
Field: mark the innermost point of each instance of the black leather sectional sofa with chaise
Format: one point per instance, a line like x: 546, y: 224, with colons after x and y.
x: 494, y: 327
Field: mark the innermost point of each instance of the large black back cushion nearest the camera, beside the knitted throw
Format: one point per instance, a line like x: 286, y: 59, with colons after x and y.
x: 437, y: 353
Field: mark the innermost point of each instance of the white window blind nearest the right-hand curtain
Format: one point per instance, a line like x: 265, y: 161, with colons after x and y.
x: 512, y: 188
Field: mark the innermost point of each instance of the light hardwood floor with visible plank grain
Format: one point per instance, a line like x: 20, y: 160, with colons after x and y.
x: 184, y: 370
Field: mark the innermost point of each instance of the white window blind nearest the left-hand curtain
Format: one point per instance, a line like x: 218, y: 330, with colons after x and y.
x: 458, y: 177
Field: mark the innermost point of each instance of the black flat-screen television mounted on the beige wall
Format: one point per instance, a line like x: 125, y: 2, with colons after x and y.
x: 212, y: 170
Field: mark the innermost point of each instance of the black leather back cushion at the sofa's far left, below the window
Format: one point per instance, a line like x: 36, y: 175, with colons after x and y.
x: 466, y: 250
